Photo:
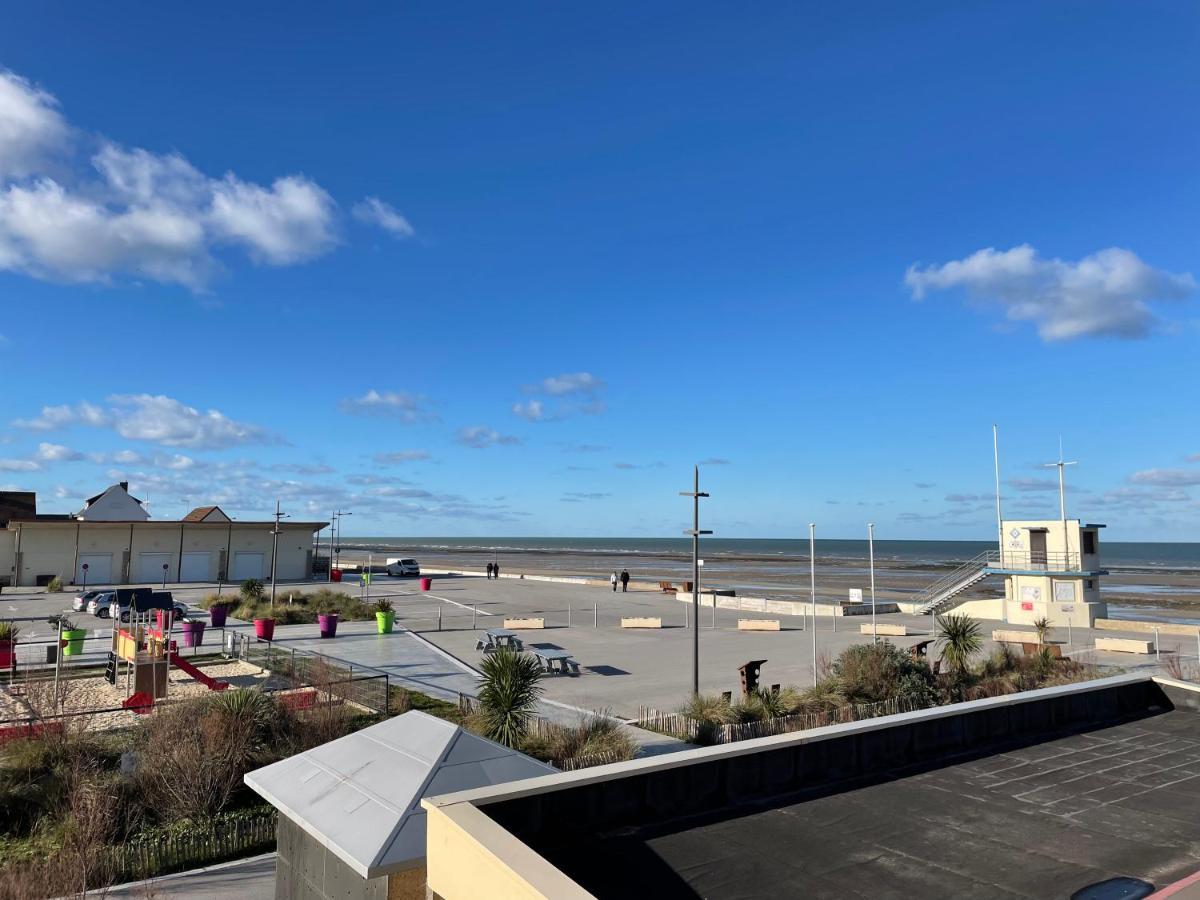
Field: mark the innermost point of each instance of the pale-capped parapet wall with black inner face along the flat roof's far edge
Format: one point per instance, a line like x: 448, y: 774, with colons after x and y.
x: 572, y: 806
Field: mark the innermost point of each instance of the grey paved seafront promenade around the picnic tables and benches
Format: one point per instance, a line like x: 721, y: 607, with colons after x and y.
x: 621, y: 669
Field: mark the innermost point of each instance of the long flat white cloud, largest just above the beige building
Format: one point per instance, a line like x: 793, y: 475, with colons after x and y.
x: 154, y: 418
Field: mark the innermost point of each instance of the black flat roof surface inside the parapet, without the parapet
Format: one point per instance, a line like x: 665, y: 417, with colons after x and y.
x: 1040, y: 820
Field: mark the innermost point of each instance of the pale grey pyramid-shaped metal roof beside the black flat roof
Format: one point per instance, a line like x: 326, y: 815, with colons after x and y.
x: 361, y: 795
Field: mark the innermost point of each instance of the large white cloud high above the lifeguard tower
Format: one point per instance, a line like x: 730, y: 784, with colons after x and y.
x: 1103, y: 295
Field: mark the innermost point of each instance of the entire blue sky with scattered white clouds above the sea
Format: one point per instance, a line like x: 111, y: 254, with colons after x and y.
x: 514, y: 269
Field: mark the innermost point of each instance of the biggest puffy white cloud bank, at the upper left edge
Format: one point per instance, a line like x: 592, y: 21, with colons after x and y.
x: 137, y: 213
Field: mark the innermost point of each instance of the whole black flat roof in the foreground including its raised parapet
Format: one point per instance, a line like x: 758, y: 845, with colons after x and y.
x: 1035, y: 797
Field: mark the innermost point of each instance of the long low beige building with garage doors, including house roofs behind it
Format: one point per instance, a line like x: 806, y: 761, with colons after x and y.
x: 113, y: 541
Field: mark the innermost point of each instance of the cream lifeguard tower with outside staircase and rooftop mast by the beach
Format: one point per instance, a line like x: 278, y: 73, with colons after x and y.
x: 1052, y: 569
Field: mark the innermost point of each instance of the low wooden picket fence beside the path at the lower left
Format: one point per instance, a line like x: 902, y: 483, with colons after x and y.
x: 166, y: 854
